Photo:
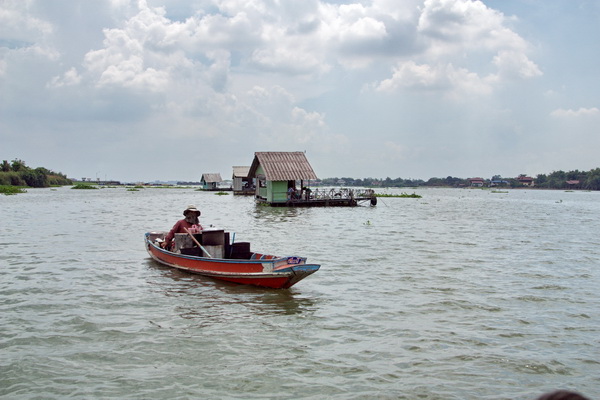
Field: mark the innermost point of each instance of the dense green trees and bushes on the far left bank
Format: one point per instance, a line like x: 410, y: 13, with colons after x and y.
x: 17, y: 173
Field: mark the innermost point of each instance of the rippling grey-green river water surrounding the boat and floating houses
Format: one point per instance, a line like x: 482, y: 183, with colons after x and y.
x: 461, y: 294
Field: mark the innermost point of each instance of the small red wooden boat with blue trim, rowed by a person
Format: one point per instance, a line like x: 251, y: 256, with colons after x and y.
x: 209, y: 253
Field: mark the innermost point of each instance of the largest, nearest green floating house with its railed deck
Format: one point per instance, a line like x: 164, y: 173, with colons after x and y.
x: 283, y: 179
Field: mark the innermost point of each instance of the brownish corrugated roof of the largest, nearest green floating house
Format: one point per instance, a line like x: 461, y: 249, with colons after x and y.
x: 282, y: 165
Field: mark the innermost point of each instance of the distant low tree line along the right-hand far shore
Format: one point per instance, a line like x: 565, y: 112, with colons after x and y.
x: 587, y: 180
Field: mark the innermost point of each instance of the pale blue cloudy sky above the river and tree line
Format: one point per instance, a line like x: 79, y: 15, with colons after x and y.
x: 170, y: 89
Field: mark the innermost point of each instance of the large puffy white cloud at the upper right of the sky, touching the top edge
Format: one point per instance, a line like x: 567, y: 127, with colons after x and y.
x: 461, y: 36
